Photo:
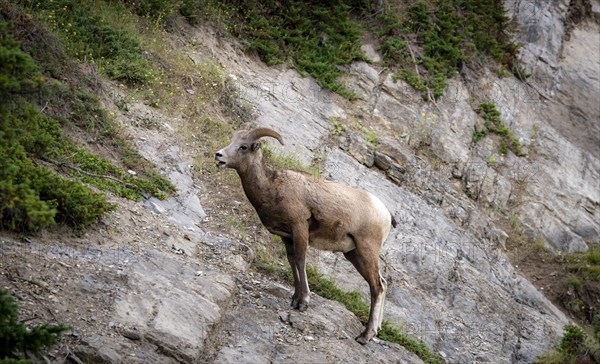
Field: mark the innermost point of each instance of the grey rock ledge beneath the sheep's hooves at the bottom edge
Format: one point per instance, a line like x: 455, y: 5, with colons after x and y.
x: 323, y: 334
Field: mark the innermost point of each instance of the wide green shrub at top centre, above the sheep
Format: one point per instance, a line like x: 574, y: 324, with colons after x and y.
x: 317, y: 37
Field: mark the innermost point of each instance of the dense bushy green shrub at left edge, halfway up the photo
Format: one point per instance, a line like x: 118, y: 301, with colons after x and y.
x: 32, y: 197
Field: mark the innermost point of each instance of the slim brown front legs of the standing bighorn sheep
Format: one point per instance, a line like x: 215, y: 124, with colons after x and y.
x: 300, y: 246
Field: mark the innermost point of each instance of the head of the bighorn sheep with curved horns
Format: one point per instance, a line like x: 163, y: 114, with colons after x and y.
x: 244, y: 148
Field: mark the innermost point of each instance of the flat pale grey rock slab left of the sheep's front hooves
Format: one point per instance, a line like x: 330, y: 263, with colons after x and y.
x: 173, y: 306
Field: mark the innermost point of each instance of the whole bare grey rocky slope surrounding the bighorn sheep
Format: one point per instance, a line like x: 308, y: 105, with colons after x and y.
x: 153, y: 284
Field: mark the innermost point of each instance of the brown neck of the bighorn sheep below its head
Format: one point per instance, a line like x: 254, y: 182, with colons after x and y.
x: 256, y: 180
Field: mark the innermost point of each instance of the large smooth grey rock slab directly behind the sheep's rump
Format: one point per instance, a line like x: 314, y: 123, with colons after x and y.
x: 439, y: 276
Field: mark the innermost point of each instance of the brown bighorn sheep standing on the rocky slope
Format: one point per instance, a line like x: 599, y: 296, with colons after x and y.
x: 304, y: 210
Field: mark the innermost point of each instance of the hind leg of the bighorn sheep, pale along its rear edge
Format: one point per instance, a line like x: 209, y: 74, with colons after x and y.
x: 369, y: 270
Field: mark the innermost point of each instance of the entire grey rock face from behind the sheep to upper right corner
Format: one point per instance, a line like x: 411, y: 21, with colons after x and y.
x: 450, y: 282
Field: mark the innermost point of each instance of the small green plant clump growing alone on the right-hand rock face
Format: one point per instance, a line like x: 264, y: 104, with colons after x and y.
x: 493, y: 124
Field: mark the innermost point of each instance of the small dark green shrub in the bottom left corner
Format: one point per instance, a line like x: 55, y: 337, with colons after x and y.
x: 16, y: 340
